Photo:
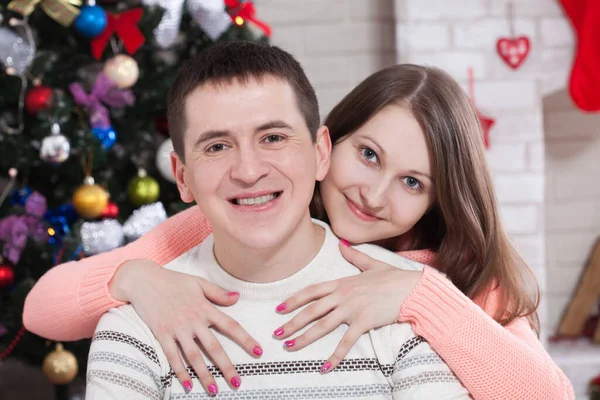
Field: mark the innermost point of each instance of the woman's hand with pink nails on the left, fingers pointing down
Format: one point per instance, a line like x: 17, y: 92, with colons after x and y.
x: 179, y: 310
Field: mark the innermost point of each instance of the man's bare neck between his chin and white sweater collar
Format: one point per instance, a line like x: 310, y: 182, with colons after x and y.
x: 270, y: 265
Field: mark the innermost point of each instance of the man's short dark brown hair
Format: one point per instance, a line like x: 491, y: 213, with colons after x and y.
x: 241, y: 60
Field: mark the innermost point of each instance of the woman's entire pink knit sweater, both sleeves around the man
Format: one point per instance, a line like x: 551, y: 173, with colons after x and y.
x: 493, y: 362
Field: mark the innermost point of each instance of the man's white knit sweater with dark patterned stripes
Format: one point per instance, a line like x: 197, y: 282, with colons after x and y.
x: 127, y: 362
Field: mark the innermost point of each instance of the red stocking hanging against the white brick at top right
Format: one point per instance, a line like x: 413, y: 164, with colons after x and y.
x: 584, y: 84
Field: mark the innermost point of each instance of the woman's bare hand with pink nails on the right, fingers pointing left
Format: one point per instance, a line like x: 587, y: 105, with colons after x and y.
x: 366, y: 301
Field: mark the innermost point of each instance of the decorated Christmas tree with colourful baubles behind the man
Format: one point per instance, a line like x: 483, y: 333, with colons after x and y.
x: 83, y: 135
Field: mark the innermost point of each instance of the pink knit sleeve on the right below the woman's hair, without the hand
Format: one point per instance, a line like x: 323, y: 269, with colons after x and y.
x: 492, y: 361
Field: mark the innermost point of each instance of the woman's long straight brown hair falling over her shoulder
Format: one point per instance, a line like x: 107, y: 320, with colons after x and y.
x: 463, y: 226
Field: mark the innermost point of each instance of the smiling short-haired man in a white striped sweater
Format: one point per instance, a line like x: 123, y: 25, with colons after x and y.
x: 248, y: 148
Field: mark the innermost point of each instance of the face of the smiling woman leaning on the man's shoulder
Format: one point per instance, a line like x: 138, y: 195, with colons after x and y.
x: 379, y: 184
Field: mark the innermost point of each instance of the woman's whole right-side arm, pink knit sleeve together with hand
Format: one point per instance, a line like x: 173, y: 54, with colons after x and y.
x: 492, y: 361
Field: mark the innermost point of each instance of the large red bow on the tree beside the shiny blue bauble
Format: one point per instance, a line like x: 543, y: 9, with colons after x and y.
x: 124, y: 25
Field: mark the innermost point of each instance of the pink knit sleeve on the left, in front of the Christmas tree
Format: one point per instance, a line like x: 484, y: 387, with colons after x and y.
x: 68, y: 300
